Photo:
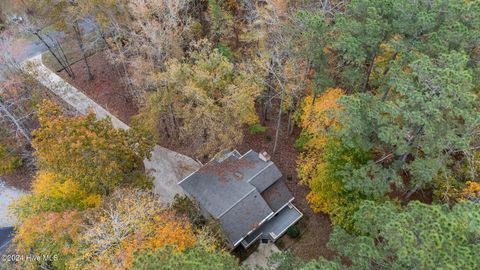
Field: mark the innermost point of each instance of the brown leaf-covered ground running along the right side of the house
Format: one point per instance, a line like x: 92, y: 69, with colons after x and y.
x: 314, y: 228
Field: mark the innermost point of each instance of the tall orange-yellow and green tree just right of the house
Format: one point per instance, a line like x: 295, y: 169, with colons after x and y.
x: 323, y: 156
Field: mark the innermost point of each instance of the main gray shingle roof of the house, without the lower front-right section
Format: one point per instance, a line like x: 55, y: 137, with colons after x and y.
x: 230, y: 189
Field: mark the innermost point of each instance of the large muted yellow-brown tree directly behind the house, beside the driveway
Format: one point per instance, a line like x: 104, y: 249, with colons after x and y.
x: 203, y: 102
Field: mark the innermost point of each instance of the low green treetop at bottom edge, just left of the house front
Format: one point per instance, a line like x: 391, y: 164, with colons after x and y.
x: 198, y: 257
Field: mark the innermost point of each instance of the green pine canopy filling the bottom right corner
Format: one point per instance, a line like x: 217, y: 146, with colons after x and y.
x: 420, y: 236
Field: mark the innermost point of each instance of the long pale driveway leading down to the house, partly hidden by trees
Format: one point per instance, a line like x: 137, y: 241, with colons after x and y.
x: 166, y: 166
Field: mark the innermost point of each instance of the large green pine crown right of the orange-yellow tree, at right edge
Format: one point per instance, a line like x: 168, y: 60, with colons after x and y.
x: 416, y: 130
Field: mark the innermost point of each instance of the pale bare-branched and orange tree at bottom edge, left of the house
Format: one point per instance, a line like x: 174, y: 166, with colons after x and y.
x: 128, y: 221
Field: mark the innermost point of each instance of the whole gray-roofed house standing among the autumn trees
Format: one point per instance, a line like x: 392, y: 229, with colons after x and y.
x: 246, y: 194
